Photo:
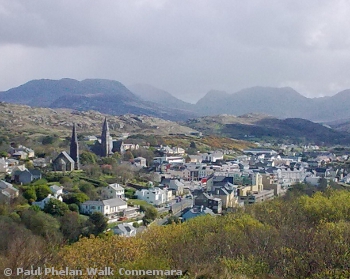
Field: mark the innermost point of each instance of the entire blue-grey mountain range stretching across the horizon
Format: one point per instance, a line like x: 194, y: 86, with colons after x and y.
x: 114, y: 98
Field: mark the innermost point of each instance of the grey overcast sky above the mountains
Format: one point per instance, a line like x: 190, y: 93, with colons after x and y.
x: 185, y: 47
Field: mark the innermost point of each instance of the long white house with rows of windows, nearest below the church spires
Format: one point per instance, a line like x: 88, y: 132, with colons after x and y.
x: 106, y: 207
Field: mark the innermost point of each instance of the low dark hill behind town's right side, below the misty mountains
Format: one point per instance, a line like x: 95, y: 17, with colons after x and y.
x: 255, y: 127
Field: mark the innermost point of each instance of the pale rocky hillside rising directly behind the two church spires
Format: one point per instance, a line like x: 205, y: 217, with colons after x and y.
x: 32, y: 121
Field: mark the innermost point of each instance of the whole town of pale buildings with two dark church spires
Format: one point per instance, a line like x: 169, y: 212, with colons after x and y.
x: 146, y: 183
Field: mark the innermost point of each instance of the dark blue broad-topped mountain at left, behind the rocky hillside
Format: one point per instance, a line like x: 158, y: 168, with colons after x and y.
x: 106, y: 96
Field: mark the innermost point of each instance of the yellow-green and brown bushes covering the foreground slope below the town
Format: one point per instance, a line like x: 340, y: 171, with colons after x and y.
x: 294, y: 237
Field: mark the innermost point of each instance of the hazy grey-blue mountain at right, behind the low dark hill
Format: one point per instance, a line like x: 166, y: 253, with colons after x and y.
x: 279, y: 102
